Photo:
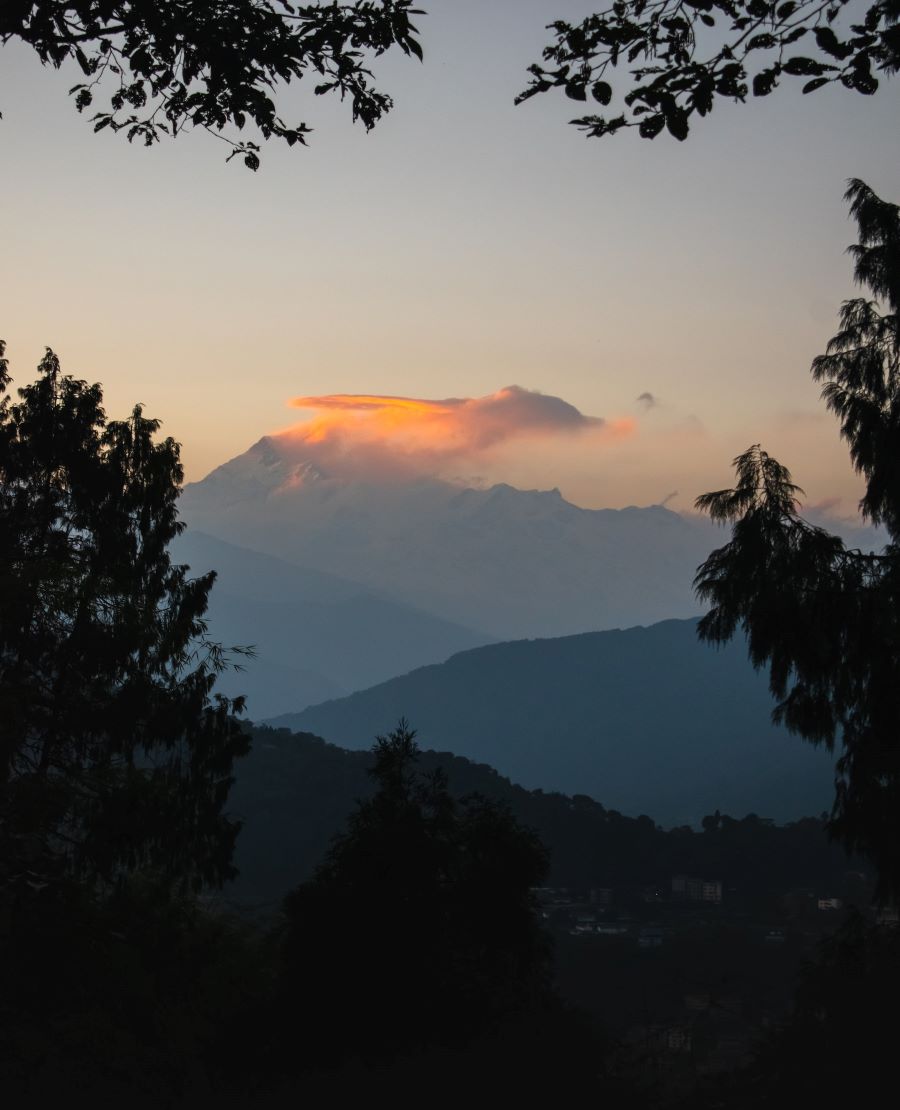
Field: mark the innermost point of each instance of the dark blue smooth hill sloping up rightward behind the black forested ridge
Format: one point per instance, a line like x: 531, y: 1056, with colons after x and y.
x: 648, y: 721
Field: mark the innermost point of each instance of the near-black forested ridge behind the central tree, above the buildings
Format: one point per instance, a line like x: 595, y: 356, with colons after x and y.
x: 295, y: 792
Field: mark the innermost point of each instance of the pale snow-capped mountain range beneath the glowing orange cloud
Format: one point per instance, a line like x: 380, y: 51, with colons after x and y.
x: 510, y: 563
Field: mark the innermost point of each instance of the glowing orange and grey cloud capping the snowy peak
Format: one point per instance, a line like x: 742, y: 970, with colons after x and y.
x: 358, y: 435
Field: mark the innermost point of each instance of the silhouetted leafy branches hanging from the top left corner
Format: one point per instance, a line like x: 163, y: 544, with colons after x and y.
x: 176, y: 65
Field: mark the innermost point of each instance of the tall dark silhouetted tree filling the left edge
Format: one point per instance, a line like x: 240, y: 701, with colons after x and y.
x: 116, y: 762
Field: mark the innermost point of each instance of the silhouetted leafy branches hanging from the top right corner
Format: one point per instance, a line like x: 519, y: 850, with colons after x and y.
x: 680, y: 56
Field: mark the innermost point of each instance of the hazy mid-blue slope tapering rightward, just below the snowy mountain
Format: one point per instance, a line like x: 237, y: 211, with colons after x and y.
x: 318, y: 635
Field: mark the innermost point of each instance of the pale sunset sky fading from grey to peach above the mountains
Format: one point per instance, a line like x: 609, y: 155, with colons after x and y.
x: 673, y: 294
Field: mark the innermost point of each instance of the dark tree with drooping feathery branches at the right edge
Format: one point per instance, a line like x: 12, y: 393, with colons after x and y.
x: 825, y: 620
